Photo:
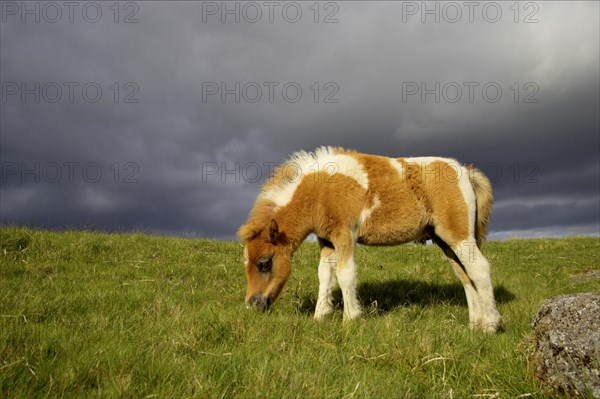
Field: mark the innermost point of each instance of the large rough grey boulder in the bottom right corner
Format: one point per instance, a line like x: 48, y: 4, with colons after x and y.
x: 564, y: 347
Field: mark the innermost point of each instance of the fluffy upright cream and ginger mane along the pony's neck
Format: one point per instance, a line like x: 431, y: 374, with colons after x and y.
x: 265, y: 207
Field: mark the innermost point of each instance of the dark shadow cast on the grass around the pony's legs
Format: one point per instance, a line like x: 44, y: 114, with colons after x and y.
x: 388, y: 295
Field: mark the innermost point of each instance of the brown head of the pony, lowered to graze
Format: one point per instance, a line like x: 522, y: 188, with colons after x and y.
x: 268, y: 262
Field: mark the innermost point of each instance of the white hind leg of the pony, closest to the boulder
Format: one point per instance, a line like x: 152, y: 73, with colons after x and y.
x: 478, y: 269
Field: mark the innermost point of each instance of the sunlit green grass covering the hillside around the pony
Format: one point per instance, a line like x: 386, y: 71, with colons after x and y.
x: 86, y: 314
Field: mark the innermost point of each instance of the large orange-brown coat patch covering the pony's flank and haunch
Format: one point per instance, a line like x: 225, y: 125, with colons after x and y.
x: 425, y: 194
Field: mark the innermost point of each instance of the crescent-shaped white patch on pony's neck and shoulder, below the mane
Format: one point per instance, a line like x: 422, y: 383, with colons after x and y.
x: 303, y: 164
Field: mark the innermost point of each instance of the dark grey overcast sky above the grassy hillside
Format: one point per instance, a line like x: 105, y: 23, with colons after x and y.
x: 166, y: 117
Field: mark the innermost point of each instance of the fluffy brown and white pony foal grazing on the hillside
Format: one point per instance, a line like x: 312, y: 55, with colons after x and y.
x: 347, y: 198
